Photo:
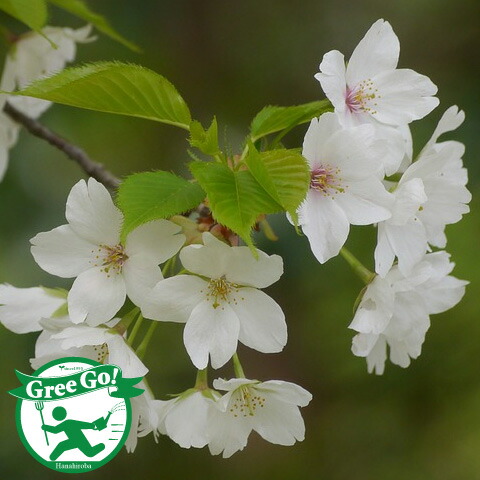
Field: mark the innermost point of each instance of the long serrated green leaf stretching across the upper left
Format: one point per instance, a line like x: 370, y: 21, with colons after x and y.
x: 114, y: 87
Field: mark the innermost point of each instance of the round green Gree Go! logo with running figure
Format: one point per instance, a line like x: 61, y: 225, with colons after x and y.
x: 73, y: 414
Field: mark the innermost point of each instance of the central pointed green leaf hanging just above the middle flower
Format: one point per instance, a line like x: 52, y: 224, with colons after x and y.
x: 235, y: 197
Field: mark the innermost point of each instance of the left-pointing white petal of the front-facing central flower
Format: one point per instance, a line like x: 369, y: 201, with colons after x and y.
x: 173, y: 299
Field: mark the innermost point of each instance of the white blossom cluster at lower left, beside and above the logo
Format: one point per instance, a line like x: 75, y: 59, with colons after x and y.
x: 219, y: 299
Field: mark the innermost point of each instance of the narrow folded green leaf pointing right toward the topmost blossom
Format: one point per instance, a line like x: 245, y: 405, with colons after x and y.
x: 275, y: 119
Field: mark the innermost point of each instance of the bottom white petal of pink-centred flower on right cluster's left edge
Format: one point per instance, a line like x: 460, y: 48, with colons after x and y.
x: 325, y: 224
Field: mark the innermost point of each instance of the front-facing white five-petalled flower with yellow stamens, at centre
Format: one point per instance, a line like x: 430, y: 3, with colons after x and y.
x: 223, y: 307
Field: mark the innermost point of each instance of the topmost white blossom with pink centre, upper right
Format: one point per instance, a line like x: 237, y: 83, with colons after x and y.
x: 371, y: 88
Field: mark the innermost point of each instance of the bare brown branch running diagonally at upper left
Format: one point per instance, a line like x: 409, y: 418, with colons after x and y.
x: 90, y: 167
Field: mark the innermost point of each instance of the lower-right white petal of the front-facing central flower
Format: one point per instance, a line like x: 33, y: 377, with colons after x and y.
x: 262, y: 321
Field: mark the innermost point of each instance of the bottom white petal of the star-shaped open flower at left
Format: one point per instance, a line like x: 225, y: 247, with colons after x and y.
x: 95, y: 297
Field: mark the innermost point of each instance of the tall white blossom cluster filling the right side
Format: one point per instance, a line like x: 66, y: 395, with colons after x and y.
x: 363, y: 173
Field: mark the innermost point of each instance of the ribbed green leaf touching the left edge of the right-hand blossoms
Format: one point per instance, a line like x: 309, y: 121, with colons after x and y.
x: 284, y: 175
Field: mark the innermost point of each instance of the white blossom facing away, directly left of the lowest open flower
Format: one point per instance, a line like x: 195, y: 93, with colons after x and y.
x: 185, y: 418
